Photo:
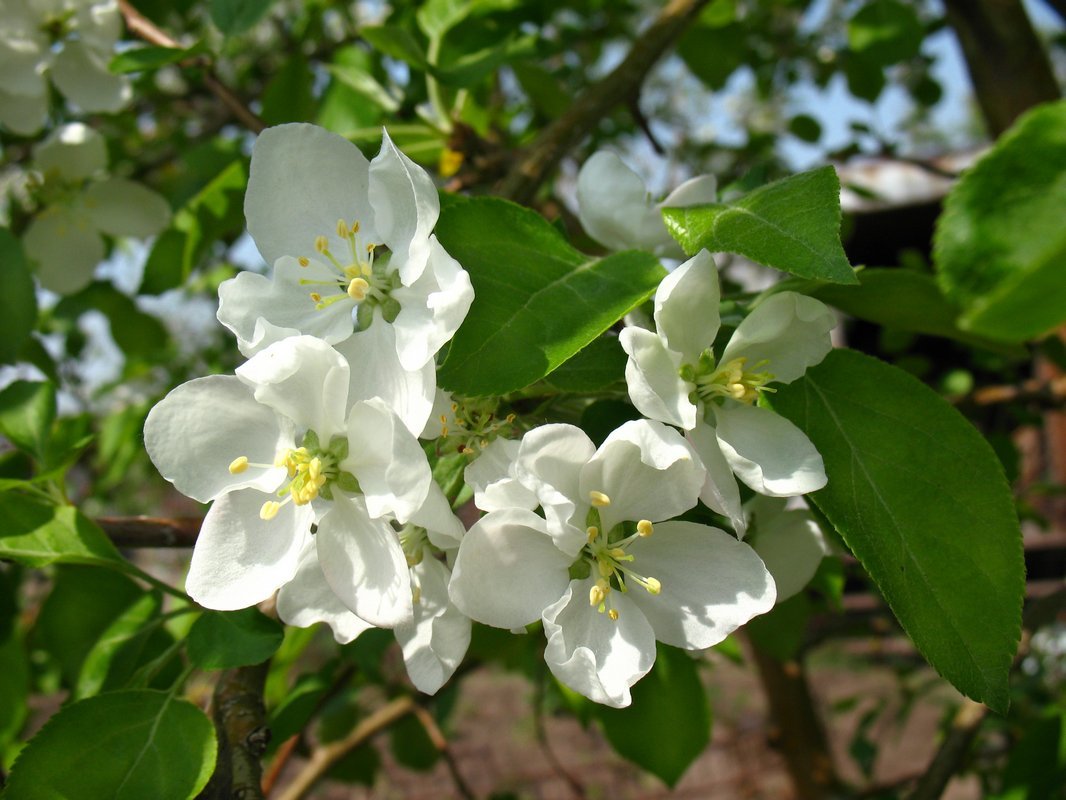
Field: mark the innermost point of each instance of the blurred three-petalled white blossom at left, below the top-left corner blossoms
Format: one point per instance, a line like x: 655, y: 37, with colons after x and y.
x: 84, y: 203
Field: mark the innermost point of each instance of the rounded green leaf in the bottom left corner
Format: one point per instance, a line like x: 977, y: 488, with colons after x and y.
x: 122, y: 746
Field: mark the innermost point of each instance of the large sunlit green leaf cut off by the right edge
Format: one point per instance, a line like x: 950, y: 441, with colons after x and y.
x: 1000, y: 245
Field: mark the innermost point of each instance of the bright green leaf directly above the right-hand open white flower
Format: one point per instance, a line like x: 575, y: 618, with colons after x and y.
x: 792, y: 226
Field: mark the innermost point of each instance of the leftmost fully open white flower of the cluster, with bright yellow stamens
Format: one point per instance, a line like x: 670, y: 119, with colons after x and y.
x: 277, y: 450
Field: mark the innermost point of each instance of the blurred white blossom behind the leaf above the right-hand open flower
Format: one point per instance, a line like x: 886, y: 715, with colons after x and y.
x: 616, y: 210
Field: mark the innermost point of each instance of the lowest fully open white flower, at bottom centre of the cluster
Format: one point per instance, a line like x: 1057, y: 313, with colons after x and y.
x: 602, y: 570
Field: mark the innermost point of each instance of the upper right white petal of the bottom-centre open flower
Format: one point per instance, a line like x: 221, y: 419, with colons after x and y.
x: 648, y: 471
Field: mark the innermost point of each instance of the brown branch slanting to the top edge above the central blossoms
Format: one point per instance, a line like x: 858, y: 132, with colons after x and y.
x: 597, y: 101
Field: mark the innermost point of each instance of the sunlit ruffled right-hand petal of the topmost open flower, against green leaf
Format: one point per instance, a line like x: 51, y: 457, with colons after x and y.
x: 432, y: 309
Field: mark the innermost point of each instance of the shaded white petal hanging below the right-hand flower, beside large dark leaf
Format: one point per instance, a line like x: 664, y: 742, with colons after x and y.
x: 792, y: 547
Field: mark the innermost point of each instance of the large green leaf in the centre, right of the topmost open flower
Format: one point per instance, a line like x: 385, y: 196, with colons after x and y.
x: 538, y: 301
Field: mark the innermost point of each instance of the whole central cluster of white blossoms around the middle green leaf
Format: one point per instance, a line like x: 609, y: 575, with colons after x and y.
x: 322, y: 494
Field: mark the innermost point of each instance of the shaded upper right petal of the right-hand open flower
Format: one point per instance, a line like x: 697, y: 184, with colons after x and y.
x: 788, y: 330
